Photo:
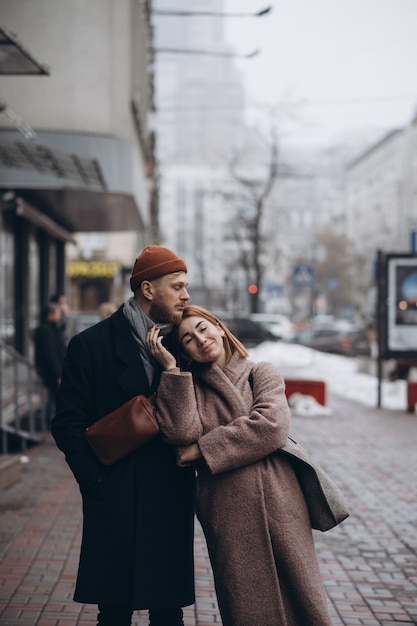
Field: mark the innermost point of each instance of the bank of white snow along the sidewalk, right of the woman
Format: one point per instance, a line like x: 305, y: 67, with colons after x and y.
x: 345, y: 376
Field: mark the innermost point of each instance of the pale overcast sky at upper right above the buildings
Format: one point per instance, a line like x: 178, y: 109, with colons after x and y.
x: 351, y: 64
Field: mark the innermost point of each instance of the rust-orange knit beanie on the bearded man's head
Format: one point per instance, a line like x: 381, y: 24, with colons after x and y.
x: 153, y: 262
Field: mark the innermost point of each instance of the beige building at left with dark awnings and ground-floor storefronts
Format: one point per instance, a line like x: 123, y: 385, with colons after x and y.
x: 77, y: 167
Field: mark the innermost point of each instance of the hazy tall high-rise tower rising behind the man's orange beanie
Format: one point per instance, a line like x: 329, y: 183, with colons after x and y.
x: 200, y: 128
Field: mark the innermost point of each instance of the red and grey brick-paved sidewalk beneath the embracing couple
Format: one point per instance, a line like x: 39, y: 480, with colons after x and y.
x: 369, y: 563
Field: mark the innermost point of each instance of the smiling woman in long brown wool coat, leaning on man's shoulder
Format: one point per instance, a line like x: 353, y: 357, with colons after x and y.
x: 228, y: 416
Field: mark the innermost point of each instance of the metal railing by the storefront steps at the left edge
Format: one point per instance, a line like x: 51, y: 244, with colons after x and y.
x: 22, y: 399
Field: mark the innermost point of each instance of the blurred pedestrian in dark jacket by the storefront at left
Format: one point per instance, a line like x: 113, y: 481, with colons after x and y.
x: 49, y: 354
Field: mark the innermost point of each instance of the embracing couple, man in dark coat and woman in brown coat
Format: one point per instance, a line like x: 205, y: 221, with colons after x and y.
x: 218, y: 435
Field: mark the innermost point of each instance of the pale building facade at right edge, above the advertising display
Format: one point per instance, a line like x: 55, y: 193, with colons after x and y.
x: 381, y: 202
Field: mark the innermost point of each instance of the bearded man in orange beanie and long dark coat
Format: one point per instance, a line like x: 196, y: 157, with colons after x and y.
x: 137, y: 543
